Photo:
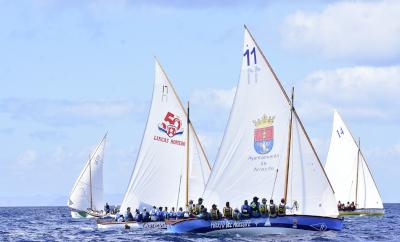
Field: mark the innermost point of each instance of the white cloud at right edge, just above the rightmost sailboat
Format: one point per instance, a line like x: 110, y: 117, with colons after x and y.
x: 357, y: 91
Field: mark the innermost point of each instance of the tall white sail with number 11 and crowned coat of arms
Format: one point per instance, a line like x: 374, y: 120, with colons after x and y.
x: 252, y: 157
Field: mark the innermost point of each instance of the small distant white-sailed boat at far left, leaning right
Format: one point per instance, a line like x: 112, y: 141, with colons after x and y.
x: 86, y: 197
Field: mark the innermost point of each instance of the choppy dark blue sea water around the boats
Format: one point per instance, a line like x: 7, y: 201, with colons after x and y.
x: 55, y: 223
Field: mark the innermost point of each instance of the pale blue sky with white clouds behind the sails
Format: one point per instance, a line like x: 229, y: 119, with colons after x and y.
x: 72, y: 70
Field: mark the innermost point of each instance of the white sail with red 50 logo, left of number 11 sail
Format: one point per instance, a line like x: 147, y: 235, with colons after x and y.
x: 159, y: 176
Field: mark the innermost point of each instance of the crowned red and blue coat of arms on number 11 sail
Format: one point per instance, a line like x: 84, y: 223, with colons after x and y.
x: 264, y: 134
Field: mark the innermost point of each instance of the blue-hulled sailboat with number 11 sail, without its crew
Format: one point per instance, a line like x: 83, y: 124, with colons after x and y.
x: 267, y: 153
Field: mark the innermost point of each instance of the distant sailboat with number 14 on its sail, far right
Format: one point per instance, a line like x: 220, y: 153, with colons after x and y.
x: 349, y: 173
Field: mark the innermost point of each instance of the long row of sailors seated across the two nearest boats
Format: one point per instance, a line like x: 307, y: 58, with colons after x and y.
x: 254, y: 210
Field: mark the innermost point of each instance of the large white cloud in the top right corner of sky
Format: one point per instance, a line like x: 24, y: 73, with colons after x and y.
x: 368, y: 30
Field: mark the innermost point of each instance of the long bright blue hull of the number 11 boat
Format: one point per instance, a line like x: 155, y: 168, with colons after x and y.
x: 291, y: 222
